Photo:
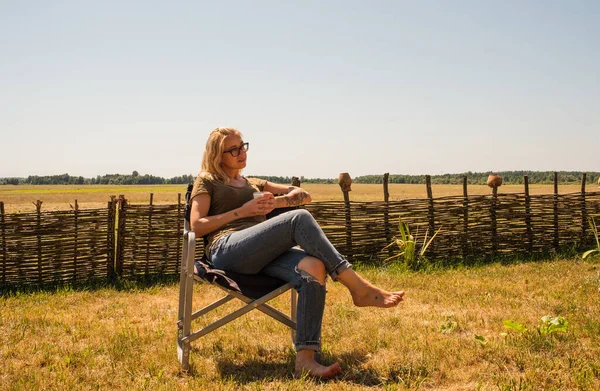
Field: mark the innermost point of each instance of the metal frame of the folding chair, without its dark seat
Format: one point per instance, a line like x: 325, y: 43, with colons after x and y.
x: 185, y: 336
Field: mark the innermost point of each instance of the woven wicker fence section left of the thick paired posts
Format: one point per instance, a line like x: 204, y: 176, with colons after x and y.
x: 52, y: 247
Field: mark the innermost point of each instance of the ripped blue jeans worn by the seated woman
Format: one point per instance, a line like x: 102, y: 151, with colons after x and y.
x: 268, y: 247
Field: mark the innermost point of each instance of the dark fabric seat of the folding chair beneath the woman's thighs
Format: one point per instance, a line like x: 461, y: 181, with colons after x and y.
x: 254, y: 286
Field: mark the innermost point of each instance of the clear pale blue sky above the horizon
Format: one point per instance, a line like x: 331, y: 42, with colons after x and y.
x: 317, y: 87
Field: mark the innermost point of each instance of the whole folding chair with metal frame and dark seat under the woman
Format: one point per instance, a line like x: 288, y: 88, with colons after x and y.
x: 254, y: 290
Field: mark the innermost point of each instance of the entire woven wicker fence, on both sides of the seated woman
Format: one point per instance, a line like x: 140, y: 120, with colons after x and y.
x: 132, y: 240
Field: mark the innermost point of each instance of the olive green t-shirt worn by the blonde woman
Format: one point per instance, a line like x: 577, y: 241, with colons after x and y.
x: 223, y: 198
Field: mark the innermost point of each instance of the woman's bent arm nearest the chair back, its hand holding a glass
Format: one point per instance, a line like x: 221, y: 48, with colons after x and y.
x: 202, y: 224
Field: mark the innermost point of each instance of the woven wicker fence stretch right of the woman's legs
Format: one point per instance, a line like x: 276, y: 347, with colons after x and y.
x: 477, y: 226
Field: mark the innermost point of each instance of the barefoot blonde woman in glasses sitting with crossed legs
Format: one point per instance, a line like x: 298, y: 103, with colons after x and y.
x: 240, y: 239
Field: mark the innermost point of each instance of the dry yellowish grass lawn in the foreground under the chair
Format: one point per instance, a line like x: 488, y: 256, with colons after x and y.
x: 111, y: 339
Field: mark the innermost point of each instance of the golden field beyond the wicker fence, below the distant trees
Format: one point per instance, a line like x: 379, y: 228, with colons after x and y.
x: 59, y: 197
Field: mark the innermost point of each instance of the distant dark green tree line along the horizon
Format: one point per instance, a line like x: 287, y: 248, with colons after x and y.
x: 508, y: 177
